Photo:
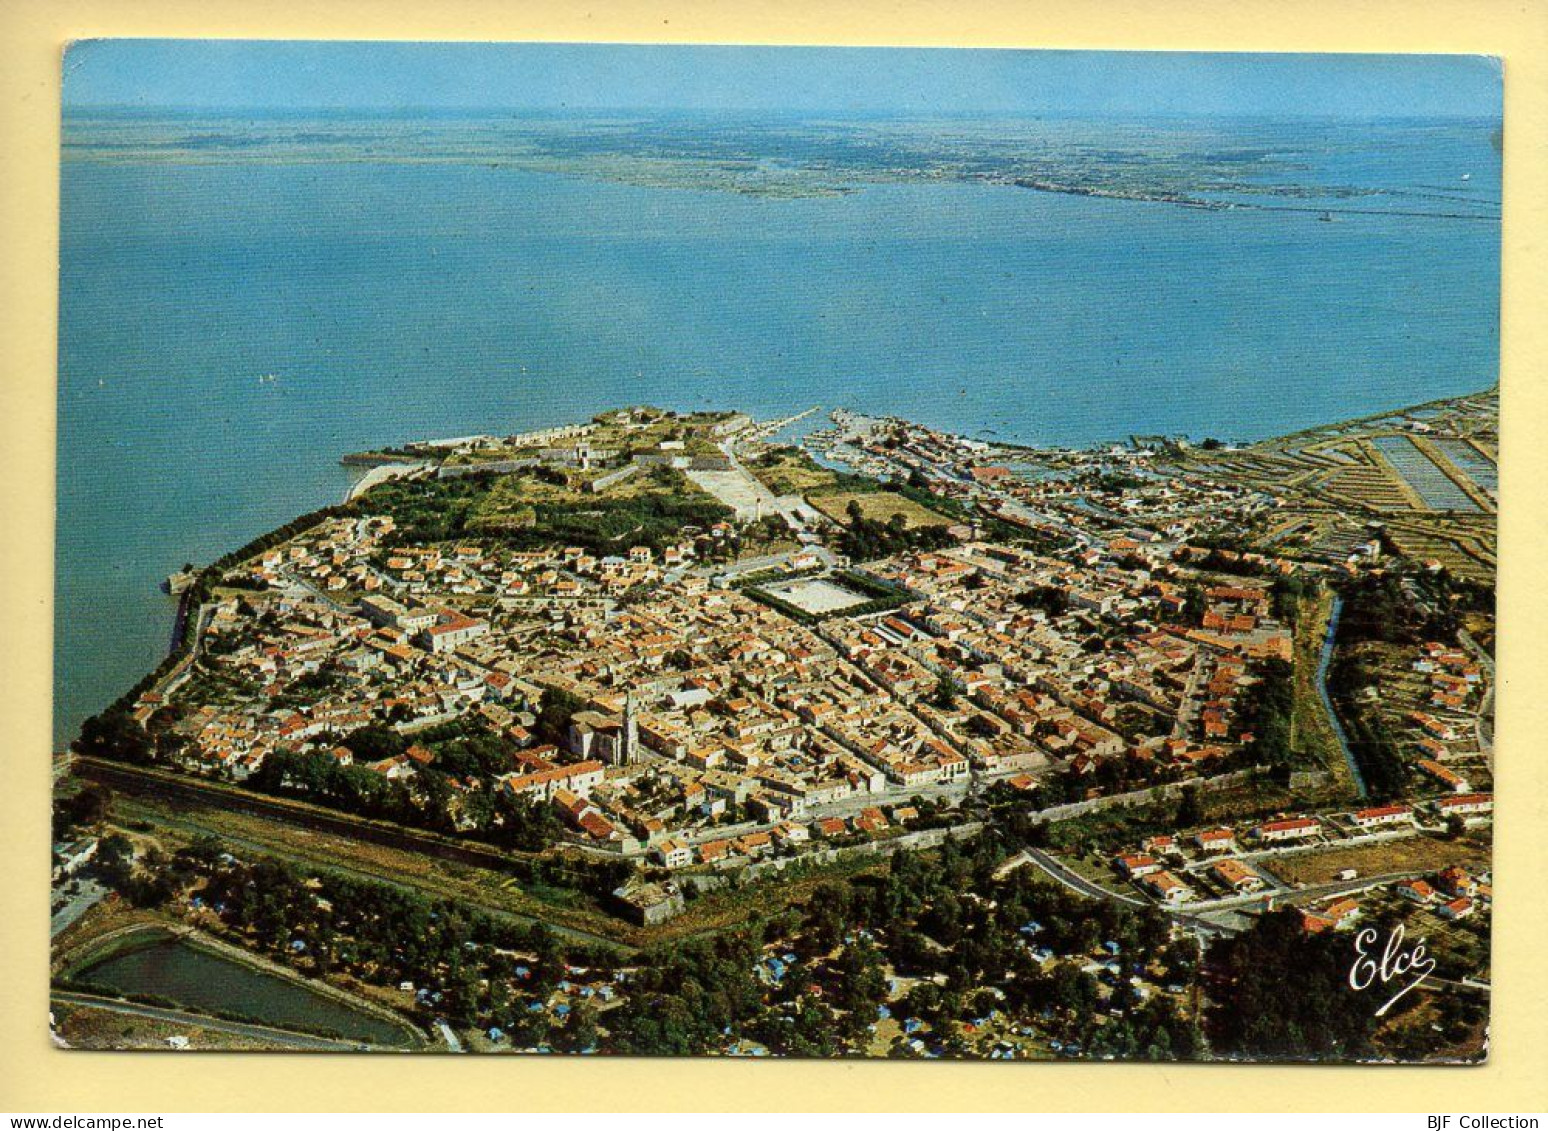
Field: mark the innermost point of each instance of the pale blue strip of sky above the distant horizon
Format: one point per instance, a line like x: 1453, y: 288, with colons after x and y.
x: 213, y: 75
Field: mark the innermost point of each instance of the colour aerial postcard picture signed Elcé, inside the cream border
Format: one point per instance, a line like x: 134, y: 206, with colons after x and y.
x: 725, y: 552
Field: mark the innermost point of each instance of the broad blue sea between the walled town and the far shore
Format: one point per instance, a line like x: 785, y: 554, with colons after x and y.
x: 406, y: 301
